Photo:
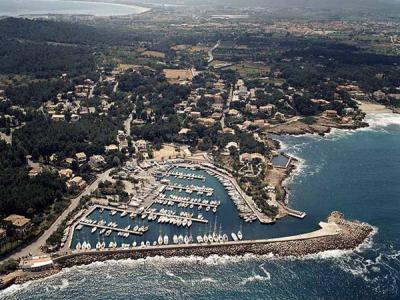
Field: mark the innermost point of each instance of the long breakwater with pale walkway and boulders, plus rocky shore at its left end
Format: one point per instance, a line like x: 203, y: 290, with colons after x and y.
x: 336, y: 234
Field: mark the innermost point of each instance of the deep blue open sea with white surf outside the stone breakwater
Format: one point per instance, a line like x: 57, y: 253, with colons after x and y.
x: 355, y: 172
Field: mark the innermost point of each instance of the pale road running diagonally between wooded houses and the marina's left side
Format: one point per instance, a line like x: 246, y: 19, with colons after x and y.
x: 34, y: 247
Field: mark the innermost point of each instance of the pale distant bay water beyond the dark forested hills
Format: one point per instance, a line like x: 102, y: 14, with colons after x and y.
x: 15, y: 8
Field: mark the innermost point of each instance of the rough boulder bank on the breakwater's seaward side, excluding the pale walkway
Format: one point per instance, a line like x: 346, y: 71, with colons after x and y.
x: 350, y: 236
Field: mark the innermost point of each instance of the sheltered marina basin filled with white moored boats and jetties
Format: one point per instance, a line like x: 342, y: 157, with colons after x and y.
x: 181, y: 211
